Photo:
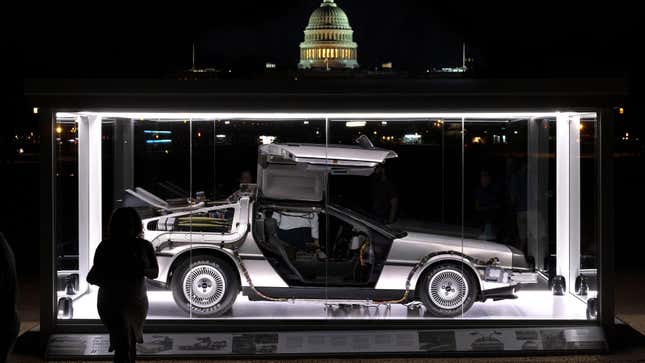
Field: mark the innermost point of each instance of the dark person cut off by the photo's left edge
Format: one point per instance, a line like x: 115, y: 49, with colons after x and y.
x: 9, y: 322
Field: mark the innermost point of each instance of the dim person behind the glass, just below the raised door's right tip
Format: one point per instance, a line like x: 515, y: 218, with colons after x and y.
x: 385, y: 200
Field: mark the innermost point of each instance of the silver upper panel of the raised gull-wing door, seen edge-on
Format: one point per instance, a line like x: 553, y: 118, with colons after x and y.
x: 331, y: 154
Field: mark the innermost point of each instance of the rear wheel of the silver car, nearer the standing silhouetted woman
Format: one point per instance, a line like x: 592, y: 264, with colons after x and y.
x: 205, y: 285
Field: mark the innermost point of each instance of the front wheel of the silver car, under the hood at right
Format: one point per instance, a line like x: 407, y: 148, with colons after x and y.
x: 448, y: 289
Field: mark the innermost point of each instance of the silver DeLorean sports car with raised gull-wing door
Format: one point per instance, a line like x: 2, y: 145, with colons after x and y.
x: 282, y: 240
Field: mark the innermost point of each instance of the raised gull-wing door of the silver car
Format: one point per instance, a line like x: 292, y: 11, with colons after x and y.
x: 299, y: 171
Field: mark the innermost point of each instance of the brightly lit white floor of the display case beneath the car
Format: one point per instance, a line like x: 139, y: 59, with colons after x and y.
x: 530, y: 304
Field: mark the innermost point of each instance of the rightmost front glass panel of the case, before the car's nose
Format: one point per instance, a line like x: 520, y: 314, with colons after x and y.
x: 513, y: 168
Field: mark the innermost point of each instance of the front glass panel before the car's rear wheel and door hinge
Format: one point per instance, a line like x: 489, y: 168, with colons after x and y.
x: 229, y: 167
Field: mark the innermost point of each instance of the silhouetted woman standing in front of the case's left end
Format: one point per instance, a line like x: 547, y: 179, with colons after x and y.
x: 121, y: 264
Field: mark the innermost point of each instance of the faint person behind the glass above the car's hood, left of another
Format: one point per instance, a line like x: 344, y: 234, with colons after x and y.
x: 487, y: 206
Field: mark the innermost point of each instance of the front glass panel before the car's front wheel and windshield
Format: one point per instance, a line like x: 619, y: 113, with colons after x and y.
x: 404, y: 209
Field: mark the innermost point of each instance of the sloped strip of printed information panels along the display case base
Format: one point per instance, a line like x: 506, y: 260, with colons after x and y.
x: 511, y: 341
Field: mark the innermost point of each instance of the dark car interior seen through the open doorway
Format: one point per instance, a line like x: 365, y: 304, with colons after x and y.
x: 353, y: 256
